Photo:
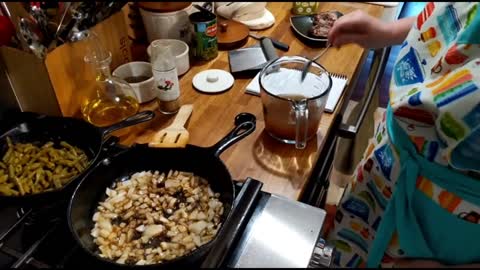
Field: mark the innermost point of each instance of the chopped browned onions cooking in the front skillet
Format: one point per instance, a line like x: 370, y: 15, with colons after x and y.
x: 152, y: 218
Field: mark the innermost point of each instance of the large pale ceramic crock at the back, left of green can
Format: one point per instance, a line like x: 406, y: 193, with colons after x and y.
x: 163, y: 25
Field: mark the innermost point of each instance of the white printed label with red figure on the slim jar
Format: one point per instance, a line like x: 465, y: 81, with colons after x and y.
x: 166, y: 84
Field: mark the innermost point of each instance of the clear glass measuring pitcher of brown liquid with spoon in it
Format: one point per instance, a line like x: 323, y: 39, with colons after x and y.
x: 292, y: 109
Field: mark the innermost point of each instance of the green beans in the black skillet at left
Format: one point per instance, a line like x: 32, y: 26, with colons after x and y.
x: 28, y: 169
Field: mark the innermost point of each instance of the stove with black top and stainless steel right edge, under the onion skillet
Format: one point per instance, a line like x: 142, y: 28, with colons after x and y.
x: 267, y: 231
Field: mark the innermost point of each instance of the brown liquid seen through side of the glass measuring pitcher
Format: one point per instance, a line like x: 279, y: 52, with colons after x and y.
x: 280, y: 117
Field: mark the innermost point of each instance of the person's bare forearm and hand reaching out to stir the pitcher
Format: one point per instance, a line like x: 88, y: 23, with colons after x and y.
x: 367, y: 31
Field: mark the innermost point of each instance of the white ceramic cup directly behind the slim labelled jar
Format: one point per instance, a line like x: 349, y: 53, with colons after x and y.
x: 179, y: 48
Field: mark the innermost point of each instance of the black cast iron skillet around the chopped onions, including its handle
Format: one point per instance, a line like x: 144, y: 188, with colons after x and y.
x: 204, y: 162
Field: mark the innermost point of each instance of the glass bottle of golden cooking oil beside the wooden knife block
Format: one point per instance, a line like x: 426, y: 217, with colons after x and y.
x: 113, y: 99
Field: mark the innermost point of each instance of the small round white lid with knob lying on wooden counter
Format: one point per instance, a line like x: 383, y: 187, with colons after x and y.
x: 213, y: 81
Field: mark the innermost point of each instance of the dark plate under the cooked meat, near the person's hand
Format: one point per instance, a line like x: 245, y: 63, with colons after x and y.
x: 302, y: 25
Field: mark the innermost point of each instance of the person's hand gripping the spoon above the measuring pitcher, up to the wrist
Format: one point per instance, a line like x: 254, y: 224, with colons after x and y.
x: 361, y: 28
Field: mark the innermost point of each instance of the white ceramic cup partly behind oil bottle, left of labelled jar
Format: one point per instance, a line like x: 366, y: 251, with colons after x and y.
x: 143, y: 90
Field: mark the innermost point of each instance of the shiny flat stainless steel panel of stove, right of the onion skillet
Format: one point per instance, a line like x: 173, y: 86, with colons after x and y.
x: 281, y: 233
